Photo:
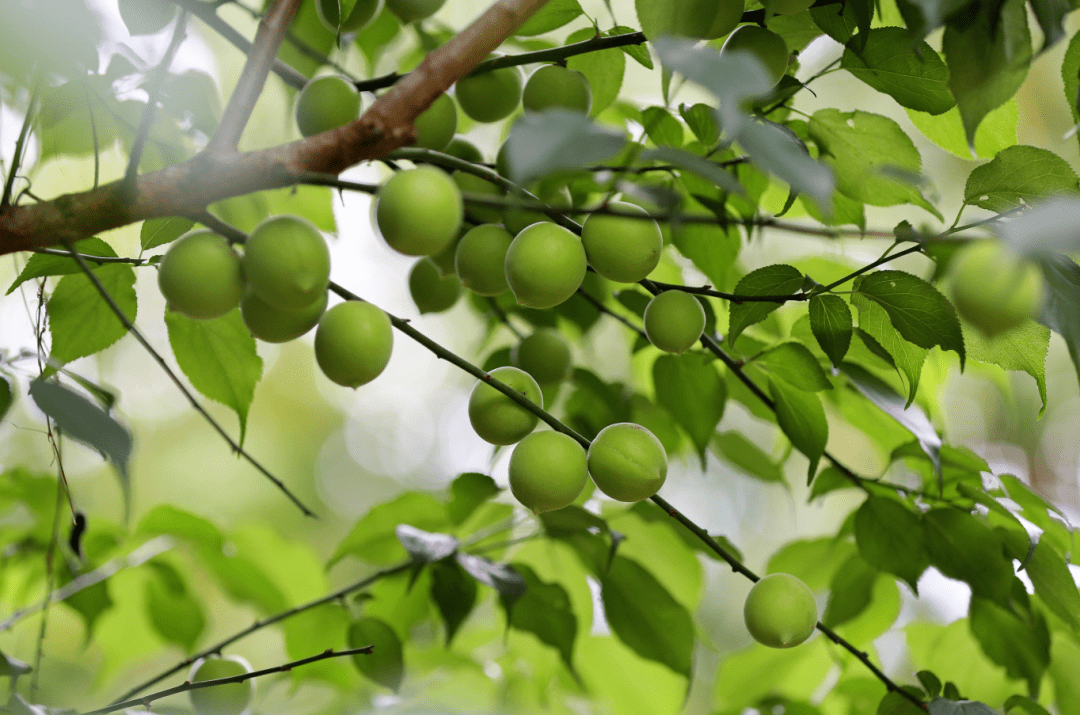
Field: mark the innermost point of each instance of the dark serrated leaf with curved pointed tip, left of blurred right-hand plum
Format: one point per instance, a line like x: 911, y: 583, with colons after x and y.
x: 917, y: 311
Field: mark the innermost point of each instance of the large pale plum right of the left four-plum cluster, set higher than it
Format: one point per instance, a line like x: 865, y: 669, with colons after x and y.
x: 420, y: 211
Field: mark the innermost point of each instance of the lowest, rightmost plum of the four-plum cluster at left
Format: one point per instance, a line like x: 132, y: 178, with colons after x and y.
x: 354, y: 343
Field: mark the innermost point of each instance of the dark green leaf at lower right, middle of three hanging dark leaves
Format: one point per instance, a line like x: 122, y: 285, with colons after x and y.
x: 964, y: 548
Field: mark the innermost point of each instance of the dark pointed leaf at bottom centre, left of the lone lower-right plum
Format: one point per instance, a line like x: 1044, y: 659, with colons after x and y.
x: 645, y: 616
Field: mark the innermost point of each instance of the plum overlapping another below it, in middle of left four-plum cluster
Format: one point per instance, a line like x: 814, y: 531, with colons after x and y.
x: 287, y: 263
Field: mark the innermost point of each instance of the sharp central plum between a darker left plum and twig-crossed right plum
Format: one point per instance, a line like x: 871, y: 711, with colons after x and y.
x: 545, y: 266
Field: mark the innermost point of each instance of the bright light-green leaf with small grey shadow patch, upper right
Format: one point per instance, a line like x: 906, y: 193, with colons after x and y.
x: 874, y: 161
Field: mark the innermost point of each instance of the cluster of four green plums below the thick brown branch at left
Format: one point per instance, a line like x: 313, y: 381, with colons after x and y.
x: 280, y: 285
